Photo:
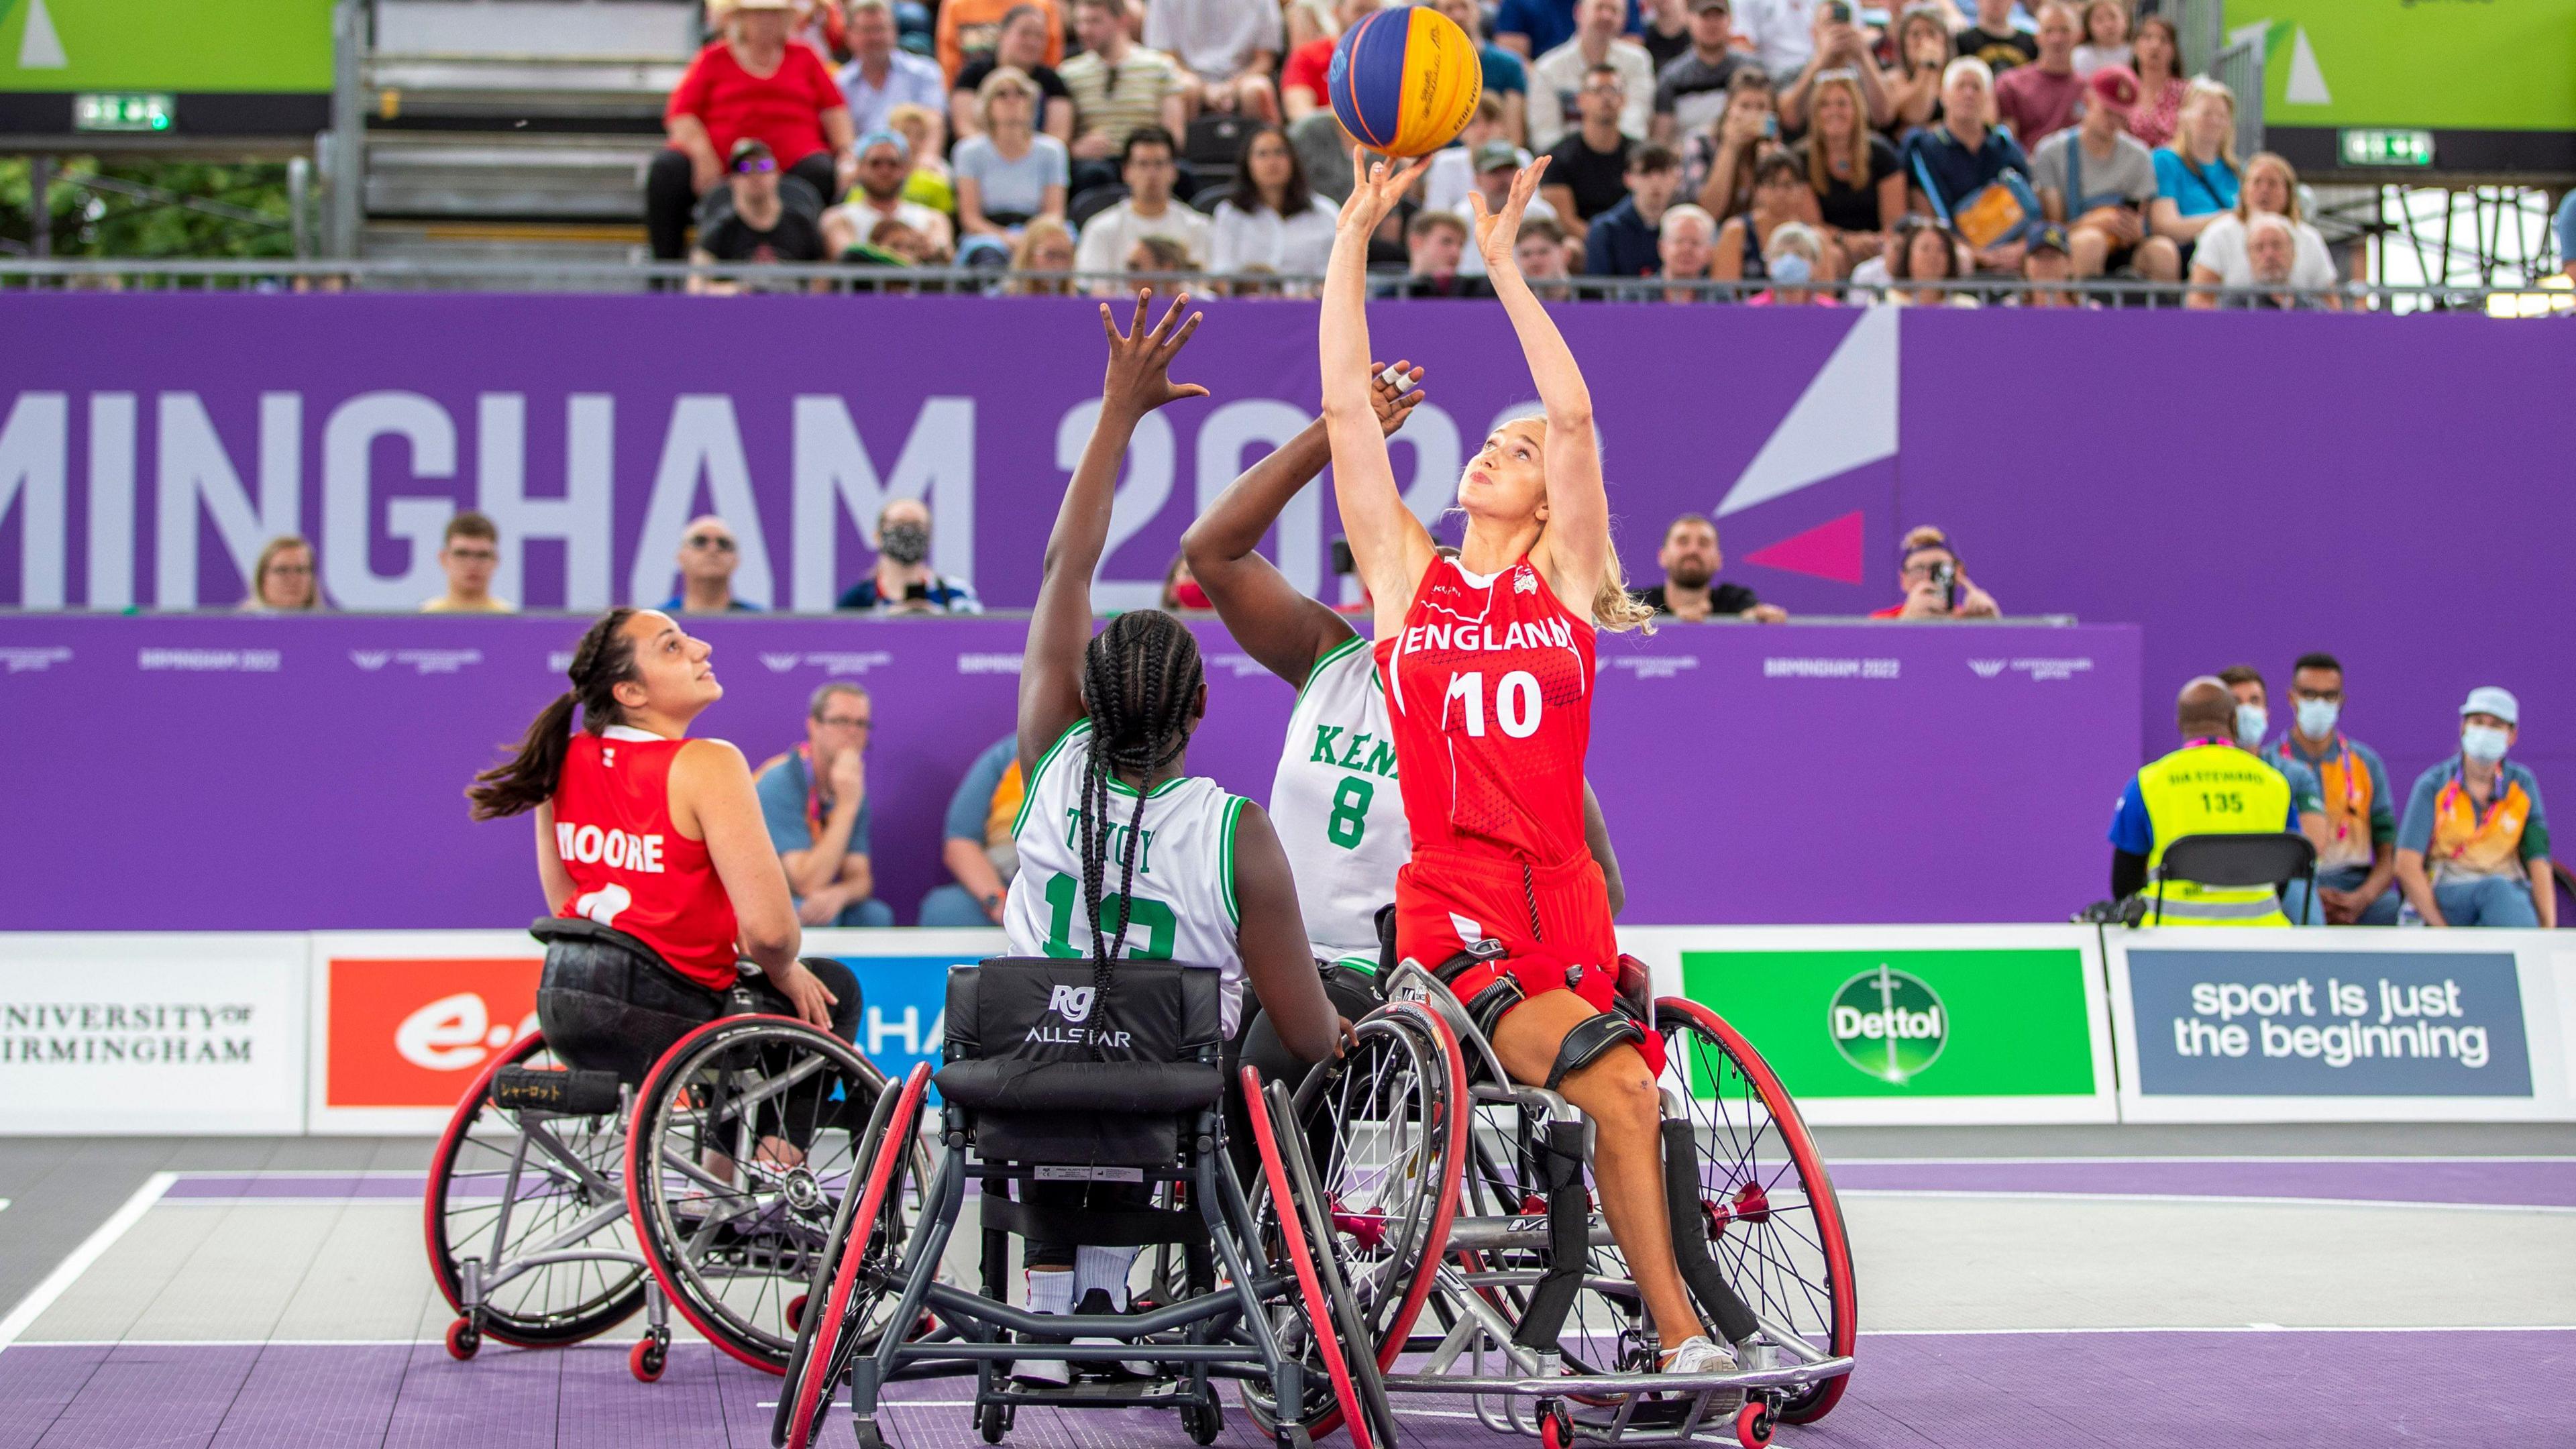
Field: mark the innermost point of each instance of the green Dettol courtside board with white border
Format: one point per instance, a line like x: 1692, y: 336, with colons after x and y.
x: 1908, y: 1025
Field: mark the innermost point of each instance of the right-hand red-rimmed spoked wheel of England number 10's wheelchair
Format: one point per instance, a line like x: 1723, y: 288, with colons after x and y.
x: 1774, y: 1223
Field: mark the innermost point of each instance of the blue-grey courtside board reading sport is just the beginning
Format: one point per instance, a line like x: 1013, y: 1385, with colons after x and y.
x: 2343, y: 1025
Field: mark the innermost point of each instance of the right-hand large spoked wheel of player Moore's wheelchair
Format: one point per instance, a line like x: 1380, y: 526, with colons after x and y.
x: 741, y: 1154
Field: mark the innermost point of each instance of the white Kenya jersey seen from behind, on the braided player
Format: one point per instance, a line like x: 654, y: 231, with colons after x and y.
x: 1184, y: 893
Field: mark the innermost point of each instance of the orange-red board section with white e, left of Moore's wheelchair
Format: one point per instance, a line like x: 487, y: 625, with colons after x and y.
x: 406, y: 1020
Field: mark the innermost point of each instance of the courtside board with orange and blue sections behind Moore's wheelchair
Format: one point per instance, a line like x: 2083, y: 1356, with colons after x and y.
x: 406, y: 1020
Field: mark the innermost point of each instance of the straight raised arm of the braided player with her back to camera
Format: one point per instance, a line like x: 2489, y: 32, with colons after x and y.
x: 1063, y: 625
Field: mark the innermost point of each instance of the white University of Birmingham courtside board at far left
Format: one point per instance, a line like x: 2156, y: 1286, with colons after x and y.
x: 151, y: 1033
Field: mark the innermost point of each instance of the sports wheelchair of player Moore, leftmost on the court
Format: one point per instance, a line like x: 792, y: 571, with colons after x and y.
x: 563, y: 1198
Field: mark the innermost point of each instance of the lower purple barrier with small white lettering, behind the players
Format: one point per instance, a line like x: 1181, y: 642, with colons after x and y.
x: 308, y: 772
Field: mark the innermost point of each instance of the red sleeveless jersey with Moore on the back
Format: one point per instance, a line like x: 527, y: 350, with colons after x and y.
x: 630, y: 865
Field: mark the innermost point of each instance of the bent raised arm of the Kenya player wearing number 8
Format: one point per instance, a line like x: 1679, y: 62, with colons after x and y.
x: 1269, y: 615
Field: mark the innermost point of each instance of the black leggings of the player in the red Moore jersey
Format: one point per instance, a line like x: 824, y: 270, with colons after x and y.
x: 617, y: 1009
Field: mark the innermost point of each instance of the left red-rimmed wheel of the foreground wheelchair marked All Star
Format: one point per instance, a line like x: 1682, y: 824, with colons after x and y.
x: 859, y: 1278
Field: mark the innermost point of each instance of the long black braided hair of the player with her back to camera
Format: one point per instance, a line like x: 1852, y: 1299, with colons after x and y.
x: 1140, y: 687
